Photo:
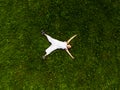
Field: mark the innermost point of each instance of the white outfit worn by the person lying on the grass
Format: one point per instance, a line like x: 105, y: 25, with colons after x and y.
x: 55, y: 44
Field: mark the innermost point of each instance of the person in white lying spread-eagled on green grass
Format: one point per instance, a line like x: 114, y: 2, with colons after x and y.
x: 56, y: 44
